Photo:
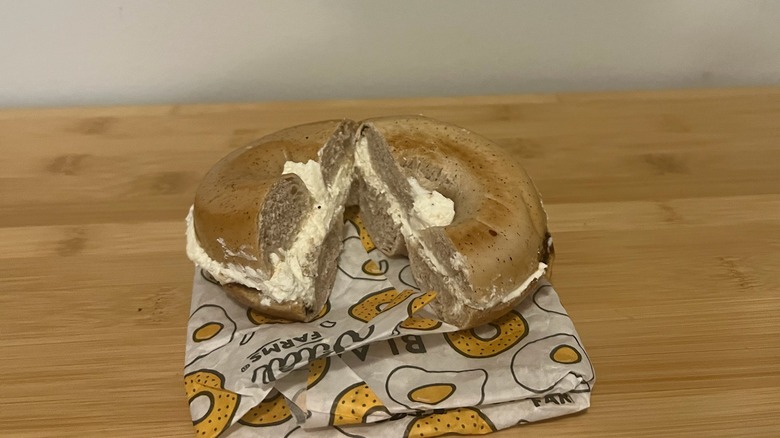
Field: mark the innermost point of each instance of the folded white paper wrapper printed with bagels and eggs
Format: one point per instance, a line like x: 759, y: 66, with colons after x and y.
x: 376, y: 362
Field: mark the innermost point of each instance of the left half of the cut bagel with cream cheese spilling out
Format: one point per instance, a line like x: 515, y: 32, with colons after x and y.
x: 266, y: 221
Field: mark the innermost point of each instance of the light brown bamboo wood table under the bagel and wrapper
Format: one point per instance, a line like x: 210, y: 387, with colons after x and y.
x: 665, y: 207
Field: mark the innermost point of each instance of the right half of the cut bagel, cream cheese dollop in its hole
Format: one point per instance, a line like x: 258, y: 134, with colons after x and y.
x: 495, y: 248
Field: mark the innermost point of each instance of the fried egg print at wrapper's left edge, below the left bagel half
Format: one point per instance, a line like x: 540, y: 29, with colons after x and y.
x: 210, y: 328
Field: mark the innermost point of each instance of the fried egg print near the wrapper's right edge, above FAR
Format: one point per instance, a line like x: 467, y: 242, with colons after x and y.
x: 539, y: 365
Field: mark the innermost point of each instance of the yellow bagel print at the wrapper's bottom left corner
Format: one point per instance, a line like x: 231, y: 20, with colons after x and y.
x: 215, y: 405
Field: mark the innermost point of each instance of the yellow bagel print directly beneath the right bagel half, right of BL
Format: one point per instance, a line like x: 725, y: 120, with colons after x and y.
x: 508, y: 330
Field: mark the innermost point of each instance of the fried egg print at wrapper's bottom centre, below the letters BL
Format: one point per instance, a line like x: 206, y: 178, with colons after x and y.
x: 417, y: 388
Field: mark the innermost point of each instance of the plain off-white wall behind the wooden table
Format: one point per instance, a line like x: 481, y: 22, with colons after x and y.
x: 77, y: 52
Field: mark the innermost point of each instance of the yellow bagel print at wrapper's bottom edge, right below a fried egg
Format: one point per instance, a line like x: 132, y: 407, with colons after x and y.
x: 462, y: 421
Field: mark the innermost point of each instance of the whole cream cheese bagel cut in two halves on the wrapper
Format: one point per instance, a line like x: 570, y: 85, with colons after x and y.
x: 267, y: 218
